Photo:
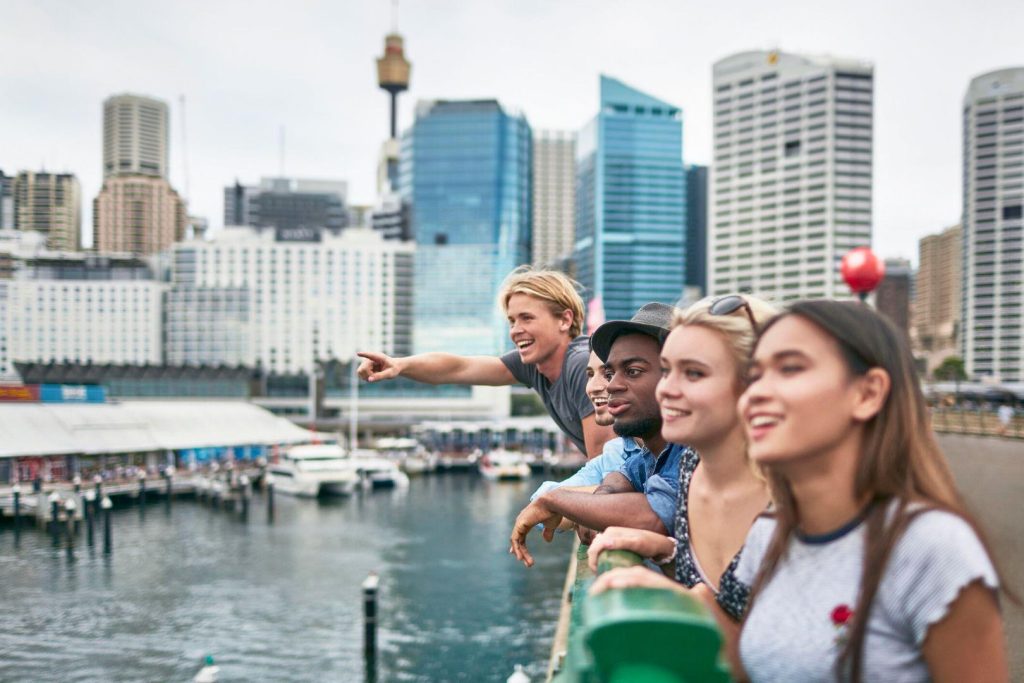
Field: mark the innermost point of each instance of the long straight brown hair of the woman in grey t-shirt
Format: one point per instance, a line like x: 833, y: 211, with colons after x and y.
x: 902, y: 462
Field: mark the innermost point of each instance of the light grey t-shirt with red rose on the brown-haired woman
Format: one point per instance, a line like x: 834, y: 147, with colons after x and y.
x: 792, y: 632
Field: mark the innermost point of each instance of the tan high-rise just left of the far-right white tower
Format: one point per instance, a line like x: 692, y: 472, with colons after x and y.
x: 936, y: 309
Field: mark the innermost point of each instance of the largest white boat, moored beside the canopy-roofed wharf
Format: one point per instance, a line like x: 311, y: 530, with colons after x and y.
x: 314, y: 471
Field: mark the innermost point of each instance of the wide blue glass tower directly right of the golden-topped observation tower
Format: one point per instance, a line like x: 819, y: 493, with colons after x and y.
x: 465, y: 175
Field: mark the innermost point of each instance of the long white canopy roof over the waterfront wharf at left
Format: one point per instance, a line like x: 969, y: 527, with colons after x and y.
x: 52, y: 430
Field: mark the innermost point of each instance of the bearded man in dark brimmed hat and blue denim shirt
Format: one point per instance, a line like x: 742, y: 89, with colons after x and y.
x: 645, y: 490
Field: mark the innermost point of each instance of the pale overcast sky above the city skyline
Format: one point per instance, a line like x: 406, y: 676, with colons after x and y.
x: 249, y: 68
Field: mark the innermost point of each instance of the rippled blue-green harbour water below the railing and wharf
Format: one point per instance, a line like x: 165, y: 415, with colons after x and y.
x: 282, y: 603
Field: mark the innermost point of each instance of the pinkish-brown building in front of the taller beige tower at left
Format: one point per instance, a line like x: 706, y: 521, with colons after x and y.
x: 138, y: 215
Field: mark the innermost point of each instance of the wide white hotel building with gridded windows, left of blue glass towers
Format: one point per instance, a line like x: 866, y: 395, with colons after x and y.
x: 284, y: 298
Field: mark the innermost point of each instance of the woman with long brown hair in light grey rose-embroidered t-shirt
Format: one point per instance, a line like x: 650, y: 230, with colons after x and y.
x: 870, y: 568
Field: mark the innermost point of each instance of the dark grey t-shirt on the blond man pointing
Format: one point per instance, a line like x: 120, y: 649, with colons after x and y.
x: 566, y: 400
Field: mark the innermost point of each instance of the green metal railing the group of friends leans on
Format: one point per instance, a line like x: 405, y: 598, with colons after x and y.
x: 638, y: 635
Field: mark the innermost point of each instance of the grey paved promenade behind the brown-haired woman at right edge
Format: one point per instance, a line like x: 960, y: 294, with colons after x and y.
x: 991, y: 474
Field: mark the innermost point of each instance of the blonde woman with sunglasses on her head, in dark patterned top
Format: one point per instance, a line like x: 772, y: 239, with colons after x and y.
x: 704, y: 368
